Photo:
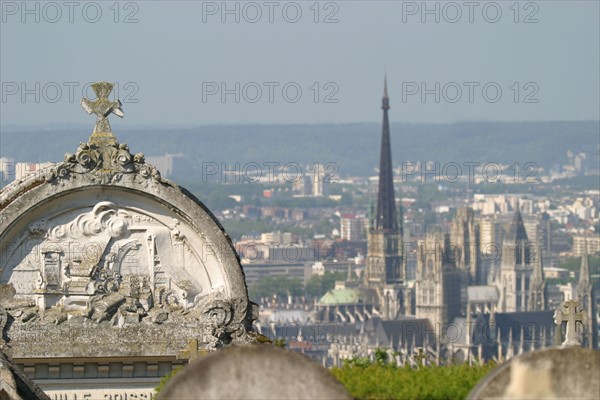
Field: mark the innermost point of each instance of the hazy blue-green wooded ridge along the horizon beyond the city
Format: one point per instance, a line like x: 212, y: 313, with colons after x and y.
x: 354, y: 147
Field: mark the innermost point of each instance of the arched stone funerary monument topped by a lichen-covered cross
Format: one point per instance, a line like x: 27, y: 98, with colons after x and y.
x: 111, y: 275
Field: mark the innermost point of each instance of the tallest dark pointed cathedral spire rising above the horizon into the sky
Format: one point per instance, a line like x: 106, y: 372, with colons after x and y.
x: 386, y: 207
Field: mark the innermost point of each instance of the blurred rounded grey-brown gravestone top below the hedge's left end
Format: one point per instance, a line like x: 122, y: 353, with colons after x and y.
x: 254, y: 372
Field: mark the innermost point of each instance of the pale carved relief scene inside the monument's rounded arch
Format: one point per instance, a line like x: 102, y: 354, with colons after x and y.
x: 109, y: 264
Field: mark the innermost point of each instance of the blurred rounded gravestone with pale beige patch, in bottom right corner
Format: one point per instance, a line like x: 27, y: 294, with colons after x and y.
x: 555, y: 373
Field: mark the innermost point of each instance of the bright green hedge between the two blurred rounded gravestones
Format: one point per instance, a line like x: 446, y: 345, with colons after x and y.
x: 384, y: 381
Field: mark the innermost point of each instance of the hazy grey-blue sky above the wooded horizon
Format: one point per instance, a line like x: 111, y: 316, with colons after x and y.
x: 172, y: 61
